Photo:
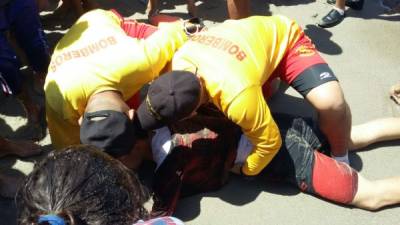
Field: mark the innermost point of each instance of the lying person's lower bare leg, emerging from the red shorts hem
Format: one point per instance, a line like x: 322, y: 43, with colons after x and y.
x: 372, y: 195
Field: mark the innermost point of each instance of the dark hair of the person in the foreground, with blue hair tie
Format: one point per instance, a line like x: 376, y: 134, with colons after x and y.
x: 82, y: 185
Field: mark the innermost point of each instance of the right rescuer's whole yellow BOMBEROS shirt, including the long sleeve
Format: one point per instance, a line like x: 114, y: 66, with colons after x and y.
x: 235, y: 59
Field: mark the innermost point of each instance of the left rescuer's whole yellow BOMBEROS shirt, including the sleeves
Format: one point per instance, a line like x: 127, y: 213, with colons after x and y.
x: 96, y: 55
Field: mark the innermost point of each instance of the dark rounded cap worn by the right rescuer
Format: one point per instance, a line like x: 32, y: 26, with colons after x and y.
x: 171, y: 97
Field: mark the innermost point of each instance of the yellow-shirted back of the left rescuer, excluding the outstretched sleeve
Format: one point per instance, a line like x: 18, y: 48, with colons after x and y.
x: 81, y: 64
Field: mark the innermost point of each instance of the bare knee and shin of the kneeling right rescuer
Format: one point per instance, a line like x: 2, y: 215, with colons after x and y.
x: 334, y: 115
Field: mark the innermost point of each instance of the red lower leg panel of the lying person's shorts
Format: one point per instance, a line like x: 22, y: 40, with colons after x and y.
x: 334, y: 180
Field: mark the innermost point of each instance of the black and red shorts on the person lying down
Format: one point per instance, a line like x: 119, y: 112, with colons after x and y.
x: 303, y: 161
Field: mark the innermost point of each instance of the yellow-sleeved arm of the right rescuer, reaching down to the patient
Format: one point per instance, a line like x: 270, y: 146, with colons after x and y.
x: 250, y: 111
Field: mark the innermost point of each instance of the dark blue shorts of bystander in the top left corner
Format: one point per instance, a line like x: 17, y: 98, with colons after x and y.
x: 21, y: 19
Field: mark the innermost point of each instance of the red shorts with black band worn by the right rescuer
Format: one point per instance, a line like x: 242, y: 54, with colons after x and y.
x: 303, y: 68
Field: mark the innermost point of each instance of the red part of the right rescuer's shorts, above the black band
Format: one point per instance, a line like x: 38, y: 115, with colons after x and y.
x: 302, y: 56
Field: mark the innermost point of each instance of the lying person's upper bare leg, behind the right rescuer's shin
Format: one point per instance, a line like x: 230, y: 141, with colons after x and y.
x: 383, y: 129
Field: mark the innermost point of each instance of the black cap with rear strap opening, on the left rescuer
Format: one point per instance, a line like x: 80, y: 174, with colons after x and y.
x: 110, y: 130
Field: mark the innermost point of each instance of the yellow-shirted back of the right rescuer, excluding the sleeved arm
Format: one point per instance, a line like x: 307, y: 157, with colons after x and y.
x: 245, y: 52
